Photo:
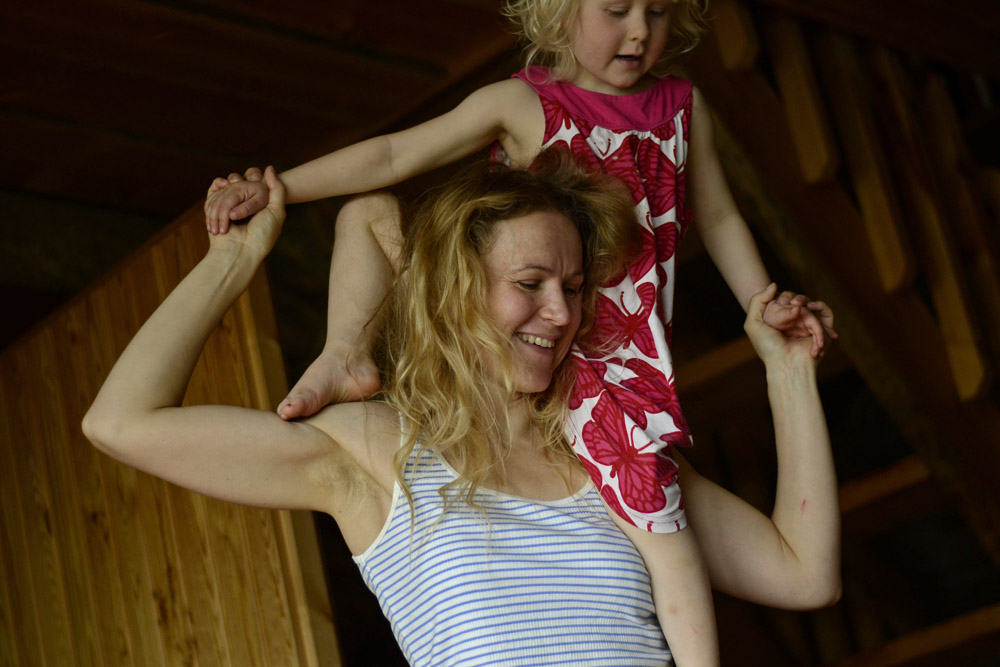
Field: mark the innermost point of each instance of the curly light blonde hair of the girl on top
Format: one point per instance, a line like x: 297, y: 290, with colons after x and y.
x: 545, y: 26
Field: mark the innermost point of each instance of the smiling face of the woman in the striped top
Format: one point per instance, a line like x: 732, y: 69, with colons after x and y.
x: 534, y: 268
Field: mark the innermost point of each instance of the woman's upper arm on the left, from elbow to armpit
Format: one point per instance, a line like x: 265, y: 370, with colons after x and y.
x: 240, y: 455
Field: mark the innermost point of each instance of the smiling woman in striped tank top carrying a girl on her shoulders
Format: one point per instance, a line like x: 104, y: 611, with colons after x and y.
x: 470, y: 518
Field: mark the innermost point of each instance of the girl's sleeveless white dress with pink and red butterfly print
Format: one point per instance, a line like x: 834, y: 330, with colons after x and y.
x: 624, y: 412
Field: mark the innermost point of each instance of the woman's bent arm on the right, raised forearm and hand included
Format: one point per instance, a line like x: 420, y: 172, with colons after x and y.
x: 791, y: 559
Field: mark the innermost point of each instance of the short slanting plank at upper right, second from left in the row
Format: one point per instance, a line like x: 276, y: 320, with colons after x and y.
x: 800, y: 95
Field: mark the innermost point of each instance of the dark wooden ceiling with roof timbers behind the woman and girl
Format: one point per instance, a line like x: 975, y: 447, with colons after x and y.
x: 860, y: 137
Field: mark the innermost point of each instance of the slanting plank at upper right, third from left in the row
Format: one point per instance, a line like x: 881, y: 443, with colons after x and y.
x: 866, y: 161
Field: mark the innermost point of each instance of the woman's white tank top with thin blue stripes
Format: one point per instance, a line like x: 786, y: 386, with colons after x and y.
x: 544, y: 583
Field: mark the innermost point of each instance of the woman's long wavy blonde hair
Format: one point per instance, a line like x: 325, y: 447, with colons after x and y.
x: 441, y: 347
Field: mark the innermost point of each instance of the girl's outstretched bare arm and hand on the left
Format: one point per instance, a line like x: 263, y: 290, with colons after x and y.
x: 498, y: 112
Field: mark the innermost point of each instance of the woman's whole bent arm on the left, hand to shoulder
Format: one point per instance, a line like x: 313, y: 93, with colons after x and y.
x: 235, y: 454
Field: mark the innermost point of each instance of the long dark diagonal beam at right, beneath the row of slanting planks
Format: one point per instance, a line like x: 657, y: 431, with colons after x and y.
x: 892, y: 339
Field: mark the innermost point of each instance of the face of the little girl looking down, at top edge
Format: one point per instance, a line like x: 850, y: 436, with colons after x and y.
x: 617, y: 42
